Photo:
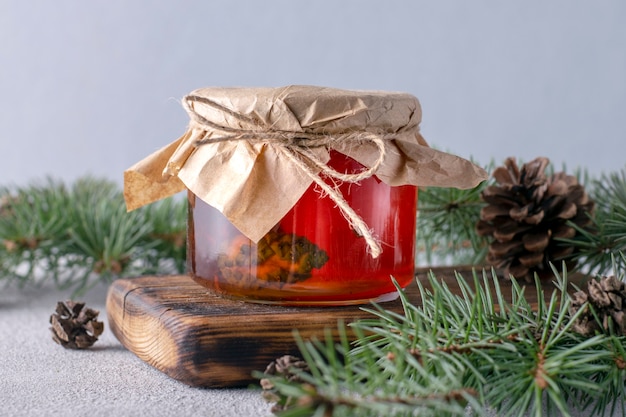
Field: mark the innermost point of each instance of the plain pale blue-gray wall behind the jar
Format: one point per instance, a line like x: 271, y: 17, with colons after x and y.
x: 90, y: 87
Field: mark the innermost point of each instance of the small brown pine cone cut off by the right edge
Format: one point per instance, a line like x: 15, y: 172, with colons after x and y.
x: 606, y: 298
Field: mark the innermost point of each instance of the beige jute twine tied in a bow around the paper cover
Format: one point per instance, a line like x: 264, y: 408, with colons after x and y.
x: 296, y: 147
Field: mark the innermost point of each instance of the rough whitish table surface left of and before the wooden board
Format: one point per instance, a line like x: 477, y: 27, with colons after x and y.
x: 40, y: 378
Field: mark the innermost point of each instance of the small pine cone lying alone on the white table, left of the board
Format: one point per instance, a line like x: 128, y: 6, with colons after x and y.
x: 74, y: 326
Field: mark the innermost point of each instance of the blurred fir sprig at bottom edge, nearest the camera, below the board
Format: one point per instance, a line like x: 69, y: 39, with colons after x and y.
x: 340, y: 382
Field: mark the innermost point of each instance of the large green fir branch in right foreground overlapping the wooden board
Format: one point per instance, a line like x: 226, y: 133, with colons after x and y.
x: 507, y: 355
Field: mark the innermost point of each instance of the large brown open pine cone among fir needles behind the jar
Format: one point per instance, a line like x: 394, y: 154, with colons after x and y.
x: 526, y: 212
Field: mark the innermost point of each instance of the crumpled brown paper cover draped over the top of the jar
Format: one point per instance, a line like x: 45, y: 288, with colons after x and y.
x: 252, y: 152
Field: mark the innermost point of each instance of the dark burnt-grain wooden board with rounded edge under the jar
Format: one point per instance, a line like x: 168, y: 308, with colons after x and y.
x: 201, y: 339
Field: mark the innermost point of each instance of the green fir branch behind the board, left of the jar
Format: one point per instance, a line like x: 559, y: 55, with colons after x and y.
x: 80, y: 235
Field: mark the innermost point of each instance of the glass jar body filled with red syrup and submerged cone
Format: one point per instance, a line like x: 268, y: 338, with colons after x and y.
x: 312, y: 256
